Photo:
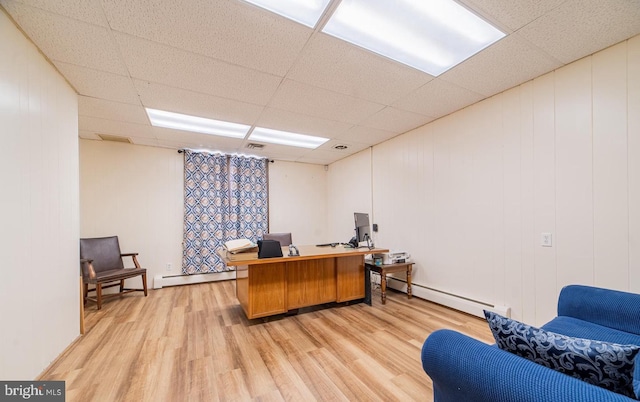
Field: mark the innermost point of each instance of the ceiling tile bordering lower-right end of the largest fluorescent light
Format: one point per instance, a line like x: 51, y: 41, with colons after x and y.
x: 505, y: 64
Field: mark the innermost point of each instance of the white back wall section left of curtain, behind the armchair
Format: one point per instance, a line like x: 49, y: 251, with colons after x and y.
x: 134, y: 192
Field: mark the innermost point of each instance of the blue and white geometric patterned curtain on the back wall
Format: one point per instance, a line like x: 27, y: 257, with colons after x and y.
x: 225, y: 199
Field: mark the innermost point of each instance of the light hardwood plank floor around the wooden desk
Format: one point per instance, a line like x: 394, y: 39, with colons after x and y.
x: 193, y: 343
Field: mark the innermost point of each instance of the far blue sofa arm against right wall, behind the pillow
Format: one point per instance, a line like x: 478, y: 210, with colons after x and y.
x: 609, y: 308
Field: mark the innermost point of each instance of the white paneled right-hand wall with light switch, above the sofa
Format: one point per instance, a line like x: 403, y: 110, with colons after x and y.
x: 475, y: 190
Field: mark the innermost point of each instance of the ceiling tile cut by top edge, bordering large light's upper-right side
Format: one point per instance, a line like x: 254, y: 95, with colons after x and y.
x: 513, y: 14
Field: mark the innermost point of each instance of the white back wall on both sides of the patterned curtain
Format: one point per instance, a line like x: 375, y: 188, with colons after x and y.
x: 136, y: 192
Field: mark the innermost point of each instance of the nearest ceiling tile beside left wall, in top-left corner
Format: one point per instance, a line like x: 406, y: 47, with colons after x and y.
x: 68, y: 40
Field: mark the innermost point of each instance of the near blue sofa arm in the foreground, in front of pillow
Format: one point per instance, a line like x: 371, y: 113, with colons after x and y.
x: 465, y: 369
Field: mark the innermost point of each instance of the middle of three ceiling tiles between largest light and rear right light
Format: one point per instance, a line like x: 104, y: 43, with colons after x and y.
x: 305, y: 99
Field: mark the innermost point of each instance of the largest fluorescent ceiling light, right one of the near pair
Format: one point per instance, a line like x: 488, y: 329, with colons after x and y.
x: 432, y: 35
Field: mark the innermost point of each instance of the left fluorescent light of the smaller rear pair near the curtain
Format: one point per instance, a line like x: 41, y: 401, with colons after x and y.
x: 178, y: 121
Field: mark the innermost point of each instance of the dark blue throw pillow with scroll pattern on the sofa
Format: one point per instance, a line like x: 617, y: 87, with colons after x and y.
x: 607, y: 365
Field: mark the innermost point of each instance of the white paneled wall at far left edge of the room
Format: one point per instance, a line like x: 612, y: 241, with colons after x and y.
x: 39, y: 290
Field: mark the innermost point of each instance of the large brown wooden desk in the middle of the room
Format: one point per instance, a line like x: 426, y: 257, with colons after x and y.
x: 319, y: 275
